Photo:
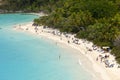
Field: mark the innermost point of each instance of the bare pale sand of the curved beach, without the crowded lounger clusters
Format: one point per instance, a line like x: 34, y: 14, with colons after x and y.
x: 99, y: 69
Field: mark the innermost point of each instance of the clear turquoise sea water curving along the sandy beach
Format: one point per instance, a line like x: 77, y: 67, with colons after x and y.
x: 27, y: 57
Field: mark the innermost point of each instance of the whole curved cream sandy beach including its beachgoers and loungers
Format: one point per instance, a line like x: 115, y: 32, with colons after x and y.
x: 100, y: 69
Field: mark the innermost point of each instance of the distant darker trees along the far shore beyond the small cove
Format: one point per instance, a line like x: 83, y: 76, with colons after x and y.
x: 27, y: 5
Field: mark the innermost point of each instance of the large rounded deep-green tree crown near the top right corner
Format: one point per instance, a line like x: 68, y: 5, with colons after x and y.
x: 102, y: 8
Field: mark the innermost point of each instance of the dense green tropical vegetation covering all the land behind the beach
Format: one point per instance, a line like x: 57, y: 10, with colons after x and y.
x: 95, y: 20
